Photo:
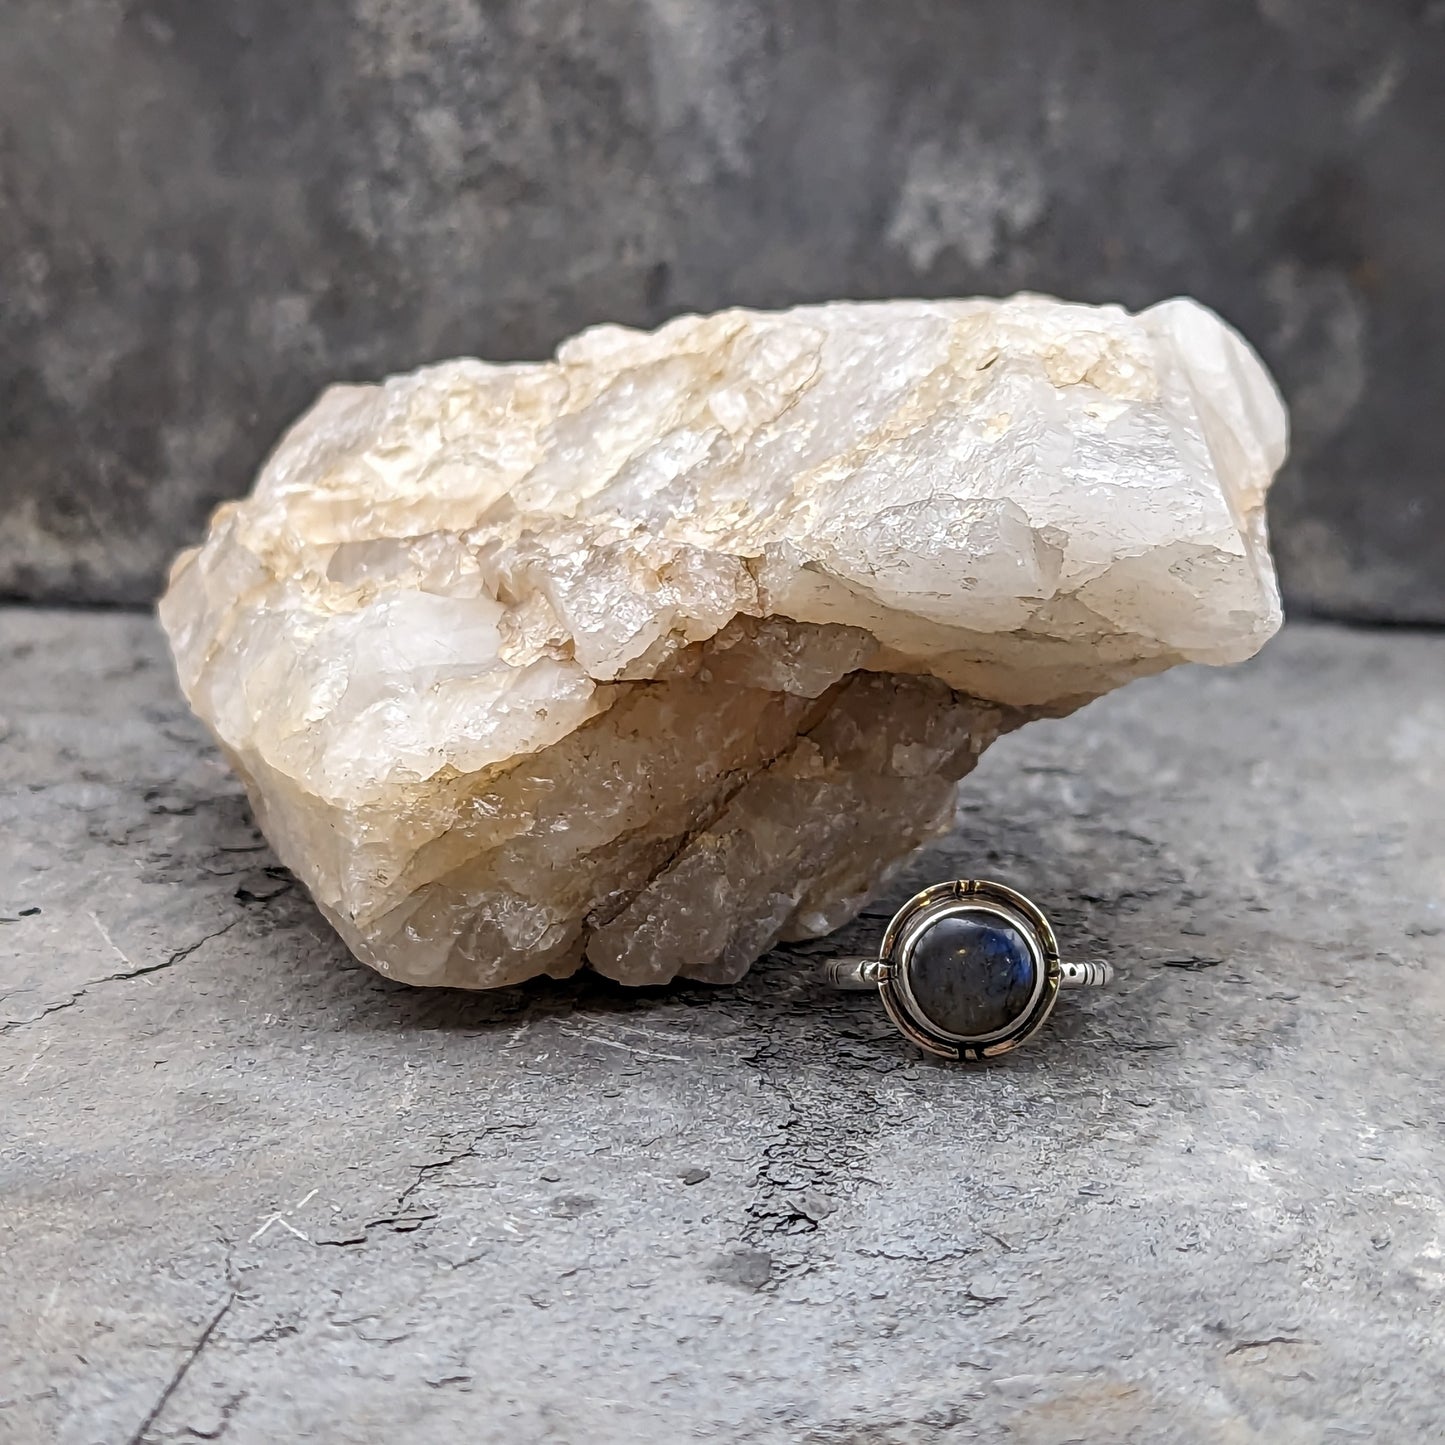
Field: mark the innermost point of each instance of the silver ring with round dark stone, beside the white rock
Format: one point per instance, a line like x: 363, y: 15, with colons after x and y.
x: 969, y: 970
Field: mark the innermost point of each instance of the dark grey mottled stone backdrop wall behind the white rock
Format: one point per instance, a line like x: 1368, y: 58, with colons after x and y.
x: 207, y: 212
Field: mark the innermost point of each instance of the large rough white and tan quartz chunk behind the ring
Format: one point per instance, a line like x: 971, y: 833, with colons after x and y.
x: 661, y: 652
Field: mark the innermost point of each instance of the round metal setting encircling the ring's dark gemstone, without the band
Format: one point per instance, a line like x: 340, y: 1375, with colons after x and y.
x: 963, y: 898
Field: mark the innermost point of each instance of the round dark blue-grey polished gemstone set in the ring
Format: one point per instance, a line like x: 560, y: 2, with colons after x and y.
x: 972, y: 975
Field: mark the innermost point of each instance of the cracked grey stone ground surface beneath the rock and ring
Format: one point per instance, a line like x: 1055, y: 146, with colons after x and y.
x: 256, y: 1193
